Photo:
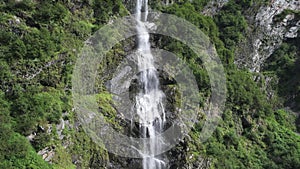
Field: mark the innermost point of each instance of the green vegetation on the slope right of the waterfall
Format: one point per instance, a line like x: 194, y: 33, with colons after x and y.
x: 252, y: 134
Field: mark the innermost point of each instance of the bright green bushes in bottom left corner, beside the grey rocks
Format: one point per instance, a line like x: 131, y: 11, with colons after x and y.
x: 15, y: 150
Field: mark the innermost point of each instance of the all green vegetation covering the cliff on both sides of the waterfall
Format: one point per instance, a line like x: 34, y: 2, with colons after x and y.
x: 39, y: 41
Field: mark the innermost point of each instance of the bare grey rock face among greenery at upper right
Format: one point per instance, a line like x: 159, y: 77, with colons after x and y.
x: 268, y: 34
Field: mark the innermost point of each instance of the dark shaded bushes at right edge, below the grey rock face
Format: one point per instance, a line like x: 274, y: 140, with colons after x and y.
x: 284, y: 63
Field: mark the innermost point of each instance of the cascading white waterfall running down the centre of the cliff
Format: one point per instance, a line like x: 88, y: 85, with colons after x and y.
x: 149, y: 105
